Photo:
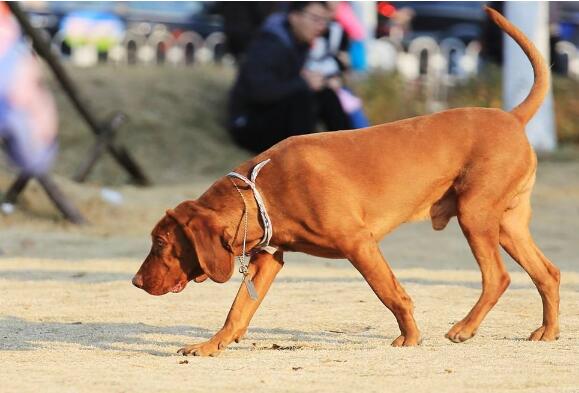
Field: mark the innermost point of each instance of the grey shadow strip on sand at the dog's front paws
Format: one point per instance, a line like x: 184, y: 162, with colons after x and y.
x: 17, y: 334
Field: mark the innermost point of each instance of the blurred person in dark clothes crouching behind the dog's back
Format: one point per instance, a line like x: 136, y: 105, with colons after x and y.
x: 274, y: 96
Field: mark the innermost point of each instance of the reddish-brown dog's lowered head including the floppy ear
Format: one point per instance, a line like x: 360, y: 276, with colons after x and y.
x: 188, y: 244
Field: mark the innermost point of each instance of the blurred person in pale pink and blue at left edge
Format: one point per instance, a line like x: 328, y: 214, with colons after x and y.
x: 28, y: 119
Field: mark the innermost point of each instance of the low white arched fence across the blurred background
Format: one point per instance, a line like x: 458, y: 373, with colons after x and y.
x: 448, y: 62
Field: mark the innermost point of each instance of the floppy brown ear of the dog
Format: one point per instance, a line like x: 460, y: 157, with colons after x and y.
x: 206, y: 237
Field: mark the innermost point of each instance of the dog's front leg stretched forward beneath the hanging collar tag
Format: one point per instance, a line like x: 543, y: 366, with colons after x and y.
x: 263, y: 269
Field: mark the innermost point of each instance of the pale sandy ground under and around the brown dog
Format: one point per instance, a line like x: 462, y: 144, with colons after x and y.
x: 71, y: 321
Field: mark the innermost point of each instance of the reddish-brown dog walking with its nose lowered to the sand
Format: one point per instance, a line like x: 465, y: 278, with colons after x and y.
x: 337, y: 194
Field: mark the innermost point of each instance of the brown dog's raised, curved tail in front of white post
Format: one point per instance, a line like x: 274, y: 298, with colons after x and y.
x: 526, y: 109
